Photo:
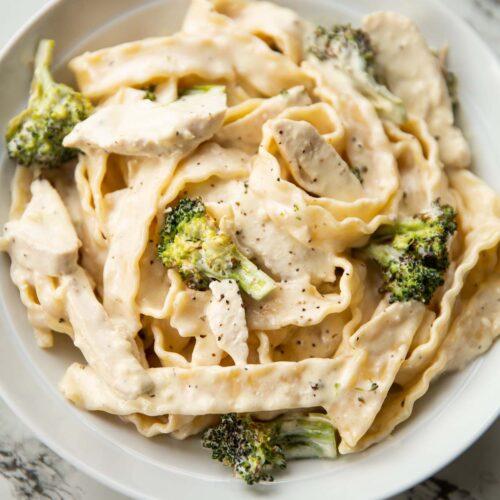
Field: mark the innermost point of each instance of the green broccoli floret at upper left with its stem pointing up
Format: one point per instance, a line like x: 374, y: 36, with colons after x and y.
x: 36, y: 135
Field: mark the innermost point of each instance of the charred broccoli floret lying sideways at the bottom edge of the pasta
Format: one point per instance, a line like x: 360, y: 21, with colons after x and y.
x: 253, y: 449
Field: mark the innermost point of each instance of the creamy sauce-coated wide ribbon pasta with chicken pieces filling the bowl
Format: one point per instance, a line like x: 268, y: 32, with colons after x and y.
x: 291, y: 160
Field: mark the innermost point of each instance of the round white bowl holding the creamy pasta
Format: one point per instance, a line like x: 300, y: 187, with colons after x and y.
x: 447, y: 420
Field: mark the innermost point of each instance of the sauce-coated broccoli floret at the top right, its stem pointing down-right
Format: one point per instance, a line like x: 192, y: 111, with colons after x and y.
x: 350, y: 51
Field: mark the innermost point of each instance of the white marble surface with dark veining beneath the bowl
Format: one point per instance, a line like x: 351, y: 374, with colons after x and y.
x: 29, y: 470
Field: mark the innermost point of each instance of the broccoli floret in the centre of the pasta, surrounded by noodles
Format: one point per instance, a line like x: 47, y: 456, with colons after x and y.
x: 191, y: 243
